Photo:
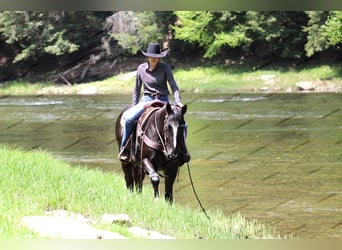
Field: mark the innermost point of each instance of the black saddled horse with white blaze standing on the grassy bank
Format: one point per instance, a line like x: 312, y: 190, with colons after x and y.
x: 157, y: 145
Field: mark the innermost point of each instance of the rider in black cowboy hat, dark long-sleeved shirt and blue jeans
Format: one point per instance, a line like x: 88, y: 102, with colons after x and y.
x: 153, y: 75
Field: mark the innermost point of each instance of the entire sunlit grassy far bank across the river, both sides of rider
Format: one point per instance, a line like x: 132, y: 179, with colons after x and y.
x: 209, y: 79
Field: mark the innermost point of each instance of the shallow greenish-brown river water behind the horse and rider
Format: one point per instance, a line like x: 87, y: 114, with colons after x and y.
x: 272, y: 157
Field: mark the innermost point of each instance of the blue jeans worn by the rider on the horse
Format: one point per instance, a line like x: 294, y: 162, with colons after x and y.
x: 131, y: 115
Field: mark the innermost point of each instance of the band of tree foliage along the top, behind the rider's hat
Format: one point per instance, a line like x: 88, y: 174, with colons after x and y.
x: 267, y: 35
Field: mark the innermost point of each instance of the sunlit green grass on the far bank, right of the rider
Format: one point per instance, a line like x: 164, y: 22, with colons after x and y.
x: 244, y: 79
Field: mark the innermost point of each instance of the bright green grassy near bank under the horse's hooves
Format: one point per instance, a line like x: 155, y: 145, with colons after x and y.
x: 33, y: 182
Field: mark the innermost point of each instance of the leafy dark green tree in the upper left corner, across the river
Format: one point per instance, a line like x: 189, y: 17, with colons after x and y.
x: 33, y: 34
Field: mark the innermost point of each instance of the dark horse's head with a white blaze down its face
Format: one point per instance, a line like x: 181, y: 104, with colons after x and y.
x: 174, y: 131
